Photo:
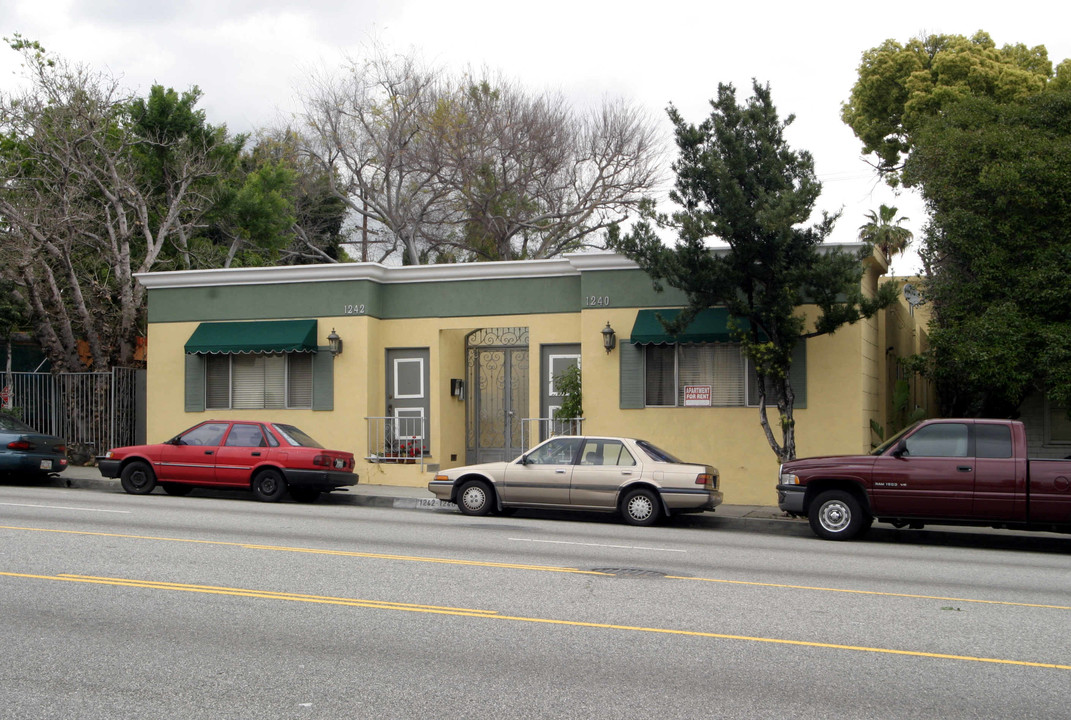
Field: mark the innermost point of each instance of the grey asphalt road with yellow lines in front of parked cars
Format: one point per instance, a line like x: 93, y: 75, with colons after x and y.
x: 115, y: 606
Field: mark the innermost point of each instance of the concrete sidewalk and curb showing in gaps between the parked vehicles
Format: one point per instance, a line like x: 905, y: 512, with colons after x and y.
x: 393, y: 497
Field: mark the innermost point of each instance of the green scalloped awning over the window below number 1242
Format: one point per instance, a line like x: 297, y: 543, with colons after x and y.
x: 253, y: 337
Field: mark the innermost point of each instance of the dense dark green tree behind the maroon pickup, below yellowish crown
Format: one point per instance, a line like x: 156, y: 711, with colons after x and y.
x: 997, y: 177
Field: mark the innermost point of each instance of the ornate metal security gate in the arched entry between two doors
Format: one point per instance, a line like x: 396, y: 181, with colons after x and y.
x: 499, y: 398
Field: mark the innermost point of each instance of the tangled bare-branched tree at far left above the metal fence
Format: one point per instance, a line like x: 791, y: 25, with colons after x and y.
x: 78, y: 218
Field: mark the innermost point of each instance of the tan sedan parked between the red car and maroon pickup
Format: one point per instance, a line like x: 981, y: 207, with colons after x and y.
x: 604, y: 474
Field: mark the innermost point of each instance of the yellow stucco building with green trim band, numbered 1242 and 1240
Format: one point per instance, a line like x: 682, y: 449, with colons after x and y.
x: 446, y: 366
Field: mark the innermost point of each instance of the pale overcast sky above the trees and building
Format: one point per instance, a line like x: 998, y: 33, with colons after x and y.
x: 250, y: 57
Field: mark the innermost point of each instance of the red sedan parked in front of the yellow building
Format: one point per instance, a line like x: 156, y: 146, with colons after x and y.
x: 268, y: 458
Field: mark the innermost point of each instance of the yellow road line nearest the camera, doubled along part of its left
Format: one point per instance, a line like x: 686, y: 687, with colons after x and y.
x: 273, y: 595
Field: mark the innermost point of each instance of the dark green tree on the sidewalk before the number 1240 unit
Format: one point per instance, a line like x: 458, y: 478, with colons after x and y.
x: 740, y: 182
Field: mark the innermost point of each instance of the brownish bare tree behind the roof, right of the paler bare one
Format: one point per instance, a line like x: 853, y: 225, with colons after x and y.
x: 535, y: 179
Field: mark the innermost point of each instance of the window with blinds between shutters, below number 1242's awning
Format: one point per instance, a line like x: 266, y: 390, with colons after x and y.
x: 259, y: 382
